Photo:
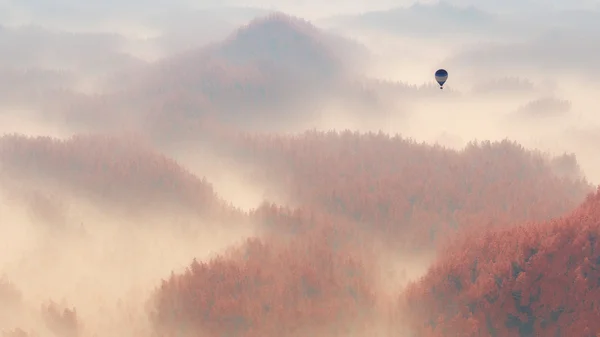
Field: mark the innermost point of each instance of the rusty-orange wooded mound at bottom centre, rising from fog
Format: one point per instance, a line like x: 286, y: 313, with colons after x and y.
x: 268, y: 287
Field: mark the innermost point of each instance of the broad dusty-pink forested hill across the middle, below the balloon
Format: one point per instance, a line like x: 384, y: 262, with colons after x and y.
x: 414, y: 194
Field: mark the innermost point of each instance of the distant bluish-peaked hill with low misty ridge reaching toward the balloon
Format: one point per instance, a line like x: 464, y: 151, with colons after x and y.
x: 277, y: 72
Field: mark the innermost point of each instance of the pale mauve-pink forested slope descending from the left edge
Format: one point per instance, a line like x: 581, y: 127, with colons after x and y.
x: 118, y: 172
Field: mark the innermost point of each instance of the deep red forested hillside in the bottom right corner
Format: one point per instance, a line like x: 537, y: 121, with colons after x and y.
x: 539, y: 279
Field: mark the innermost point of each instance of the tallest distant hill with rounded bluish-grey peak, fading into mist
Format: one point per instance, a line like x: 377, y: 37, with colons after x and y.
x: 275, y: 71
